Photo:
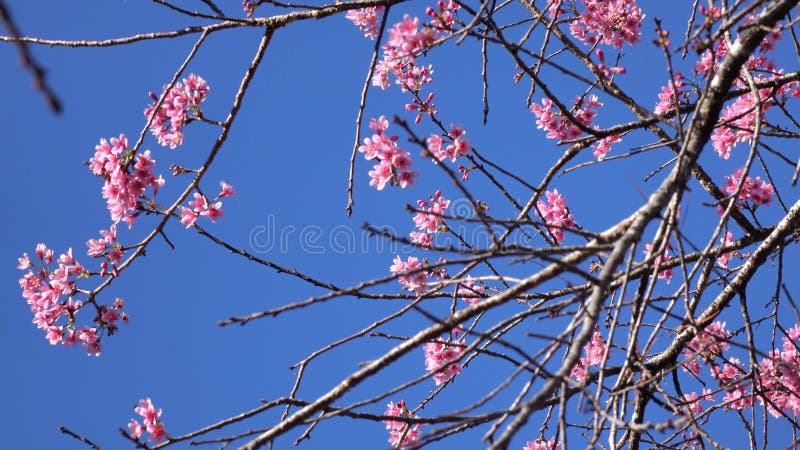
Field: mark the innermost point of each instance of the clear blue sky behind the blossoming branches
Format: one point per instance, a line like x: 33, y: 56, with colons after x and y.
x: 288, y: 158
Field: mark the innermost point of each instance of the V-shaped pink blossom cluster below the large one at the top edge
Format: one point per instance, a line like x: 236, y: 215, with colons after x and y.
x: 550, y: 119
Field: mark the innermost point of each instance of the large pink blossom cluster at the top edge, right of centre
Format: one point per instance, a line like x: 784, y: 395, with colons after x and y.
x: 611, y: 22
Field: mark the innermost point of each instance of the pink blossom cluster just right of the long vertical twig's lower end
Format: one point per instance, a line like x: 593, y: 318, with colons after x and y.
x: 394, y: 164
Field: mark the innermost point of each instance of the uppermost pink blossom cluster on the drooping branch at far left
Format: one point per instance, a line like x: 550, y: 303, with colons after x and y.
x: 171, y: 116
